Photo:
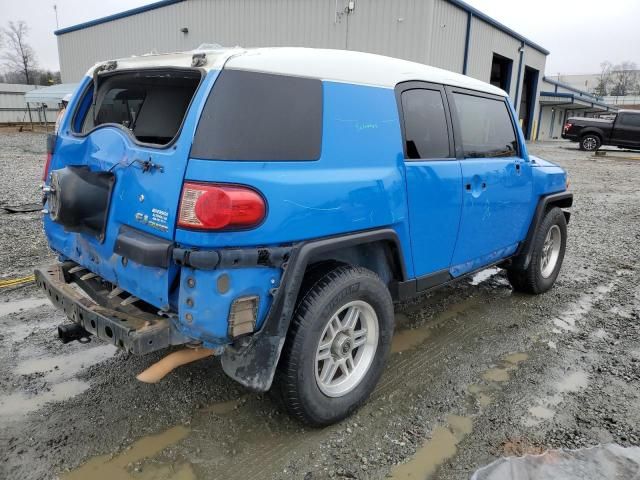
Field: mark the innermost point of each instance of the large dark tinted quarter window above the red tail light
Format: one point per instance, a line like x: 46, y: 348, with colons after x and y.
x: 259, y: 116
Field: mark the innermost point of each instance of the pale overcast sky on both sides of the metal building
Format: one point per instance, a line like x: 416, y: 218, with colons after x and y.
x: 580, y: 34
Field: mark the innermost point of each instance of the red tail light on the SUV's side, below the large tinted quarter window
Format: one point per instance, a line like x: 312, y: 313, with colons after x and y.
x: 217, y: 207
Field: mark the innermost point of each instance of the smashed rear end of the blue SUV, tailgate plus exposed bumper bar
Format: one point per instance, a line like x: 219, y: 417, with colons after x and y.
x: 114, y: 182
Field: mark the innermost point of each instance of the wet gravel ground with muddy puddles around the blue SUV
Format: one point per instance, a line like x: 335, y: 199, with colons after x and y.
x: 477, y: 371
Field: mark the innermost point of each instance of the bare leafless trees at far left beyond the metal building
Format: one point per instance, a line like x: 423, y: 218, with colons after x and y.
x: 19, y: 61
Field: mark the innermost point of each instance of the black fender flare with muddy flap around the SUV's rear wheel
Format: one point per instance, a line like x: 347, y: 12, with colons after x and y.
x: 252, y: 361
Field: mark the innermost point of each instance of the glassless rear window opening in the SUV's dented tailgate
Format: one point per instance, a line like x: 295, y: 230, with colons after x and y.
x: 149, y: 104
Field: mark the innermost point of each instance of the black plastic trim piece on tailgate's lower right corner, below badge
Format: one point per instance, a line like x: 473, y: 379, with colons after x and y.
x: 143, y: 248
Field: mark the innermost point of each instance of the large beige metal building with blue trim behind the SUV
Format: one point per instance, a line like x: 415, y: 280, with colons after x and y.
x: 444, y: 33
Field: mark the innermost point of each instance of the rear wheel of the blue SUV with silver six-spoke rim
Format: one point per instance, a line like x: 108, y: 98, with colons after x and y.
x: 311, y: 393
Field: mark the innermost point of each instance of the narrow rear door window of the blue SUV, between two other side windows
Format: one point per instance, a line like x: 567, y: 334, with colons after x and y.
x: 425, y: 124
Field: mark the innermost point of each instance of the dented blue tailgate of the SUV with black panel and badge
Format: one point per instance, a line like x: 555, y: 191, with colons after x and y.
x: 117, y: 170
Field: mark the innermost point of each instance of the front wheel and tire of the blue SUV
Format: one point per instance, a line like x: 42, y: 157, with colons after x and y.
x: 543, y: 270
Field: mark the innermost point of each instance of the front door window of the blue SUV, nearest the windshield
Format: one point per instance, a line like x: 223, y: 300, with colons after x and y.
x: 487, y: 129
